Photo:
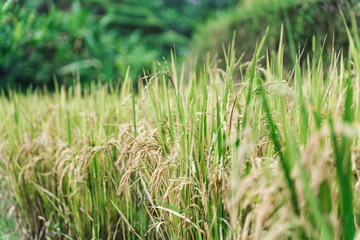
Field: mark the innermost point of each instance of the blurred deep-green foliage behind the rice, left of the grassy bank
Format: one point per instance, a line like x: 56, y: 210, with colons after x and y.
x: 43, y: 40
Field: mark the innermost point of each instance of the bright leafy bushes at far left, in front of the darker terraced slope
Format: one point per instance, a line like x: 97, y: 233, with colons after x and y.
x: 35, y: 47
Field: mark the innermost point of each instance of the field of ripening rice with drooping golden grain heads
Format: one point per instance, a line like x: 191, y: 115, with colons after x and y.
x: 252, y: 151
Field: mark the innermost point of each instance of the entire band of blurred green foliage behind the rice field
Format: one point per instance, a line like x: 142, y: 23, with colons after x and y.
x: 42, y: 40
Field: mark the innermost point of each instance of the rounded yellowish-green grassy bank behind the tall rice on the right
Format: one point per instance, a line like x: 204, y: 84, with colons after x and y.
x: 303, y: 20
